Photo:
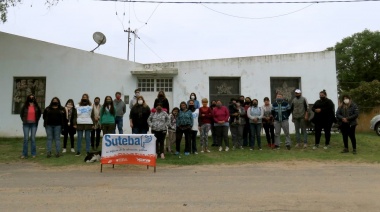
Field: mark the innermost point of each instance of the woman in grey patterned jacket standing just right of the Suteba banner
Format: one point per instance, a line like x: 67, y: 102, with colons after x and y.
x: 159, y: 121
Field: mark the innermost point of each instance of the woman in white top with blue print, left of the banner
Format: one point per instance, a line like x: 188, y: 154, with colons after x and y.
x: 85, y: 121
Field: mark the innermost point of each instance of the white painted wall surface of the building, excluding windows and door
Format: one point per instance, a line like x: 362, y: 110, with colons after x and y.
x: 71, y: 72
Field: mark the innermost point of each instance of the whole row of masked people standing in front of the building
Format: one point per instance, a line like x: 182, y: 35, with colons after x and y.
x: 243, y: 117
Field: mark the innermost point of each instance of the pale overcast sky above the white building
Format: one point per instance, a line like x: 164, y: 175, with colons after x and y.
x: 180, y: 32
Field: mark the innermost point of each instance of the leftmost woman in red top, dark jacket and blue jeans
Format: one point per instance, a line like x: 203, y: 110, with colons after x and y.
x: 30, y: 114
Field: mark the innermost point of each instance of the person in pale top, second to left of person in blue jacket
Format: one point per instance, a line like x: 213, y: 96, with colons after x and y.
x: 255, y: 115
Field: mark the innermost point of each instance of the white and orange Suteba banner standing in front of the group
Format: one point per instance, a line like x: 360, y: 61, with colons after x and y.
x: 139, y: 149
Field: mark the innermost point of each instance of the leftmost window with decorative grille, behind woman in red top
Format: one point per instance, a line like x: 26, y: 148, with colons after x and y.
x: 23, y: 86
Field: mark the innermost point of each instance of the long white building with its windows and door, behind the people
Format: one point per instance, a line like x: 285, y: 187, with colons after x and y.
x: 50, y: 70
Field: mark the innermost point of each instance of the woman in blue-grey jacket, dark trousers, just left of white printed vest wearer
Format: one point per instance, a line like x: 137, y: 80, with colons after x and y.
x: 184, y: 125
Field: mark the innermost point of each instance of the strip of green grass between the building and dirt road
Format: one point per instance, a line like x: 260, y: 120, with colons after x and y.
x: 368, y: 145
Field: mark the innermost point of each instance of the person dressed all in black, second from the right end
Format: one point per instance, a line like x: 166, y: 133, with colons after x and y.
x: 324, y: 116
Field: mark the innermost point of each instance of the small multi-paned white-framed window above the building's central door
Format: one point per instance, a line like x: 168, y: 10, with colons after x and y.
x: 151, y: 85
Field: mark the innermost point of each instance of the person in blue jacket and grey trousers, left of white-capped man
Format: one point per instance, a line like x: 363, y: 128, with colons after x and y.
x: 281, y: 111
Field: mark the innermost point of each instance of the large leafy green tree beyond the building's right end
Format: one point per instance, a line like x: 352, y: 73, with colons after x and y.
x: 357, y: 59
